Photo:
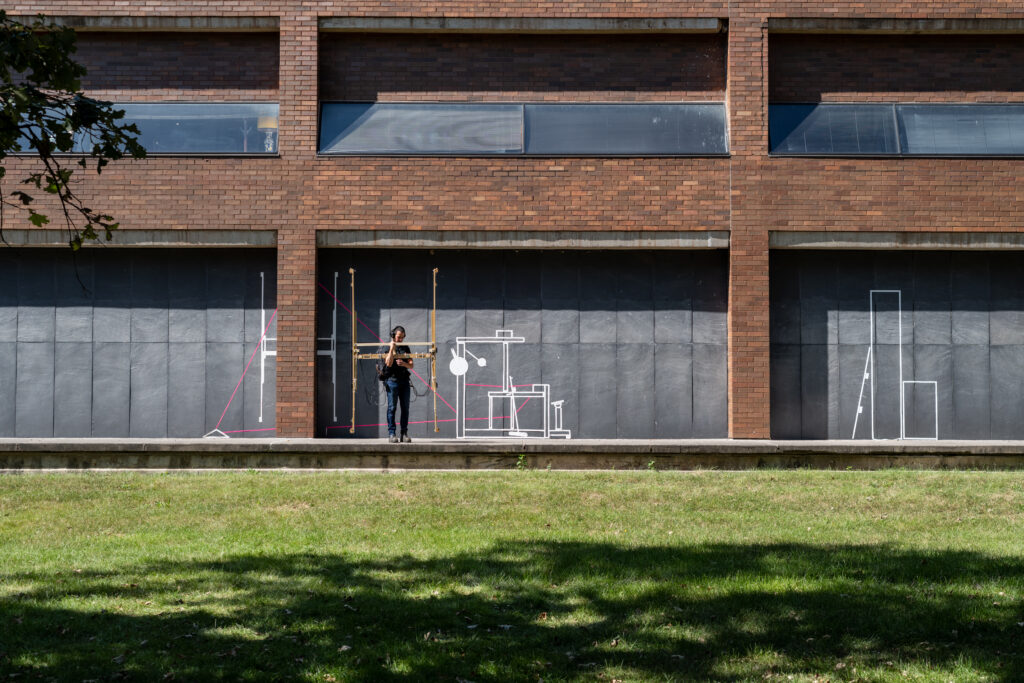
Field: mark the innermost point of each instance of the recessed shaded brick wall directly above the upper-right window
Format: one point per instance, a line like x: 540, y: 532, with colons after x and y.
x: 907, y: 69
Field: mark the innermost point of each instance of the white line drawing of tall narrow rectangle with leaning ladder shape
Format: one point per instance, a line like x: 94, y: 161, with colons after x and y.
x: 884, y: 331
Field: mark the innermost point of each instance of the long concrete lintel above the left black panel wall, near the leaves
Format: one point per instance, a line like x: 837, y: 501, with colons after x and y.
x: 129, y: 238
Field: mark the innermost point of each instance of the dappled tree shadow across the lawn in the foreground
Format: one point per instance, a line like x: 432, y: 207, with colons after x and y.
x: 524, y: 612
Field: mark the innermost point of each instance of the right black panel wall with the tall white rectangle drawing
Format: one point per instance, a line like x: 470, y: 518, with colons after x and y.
x: 948, y: 358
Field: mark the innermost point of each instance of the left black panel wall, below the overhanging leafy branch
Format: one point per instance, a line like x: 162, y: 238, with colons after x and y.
x: 137, y: 344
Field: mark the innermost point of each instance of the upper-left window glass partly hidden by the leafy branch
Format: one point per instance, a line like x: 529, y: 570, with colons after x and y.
x: 203, y: 127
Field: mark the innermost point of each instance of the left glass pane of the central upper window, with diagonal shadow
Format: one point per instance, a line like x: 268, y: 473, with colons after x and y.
x: 428, y: 129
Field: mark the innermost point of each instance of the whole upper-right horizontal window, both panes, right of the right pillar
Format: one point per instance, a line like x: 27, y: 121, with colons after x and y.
x: 899, y: 131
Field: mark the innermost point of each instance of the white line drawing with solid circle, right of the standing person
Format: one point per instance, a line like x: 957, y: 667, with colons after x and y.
x: 506, y: 403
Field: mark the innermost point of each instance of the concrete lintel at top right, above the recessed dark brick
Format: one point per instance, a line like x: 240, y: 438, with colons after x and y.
x: 893, y: 26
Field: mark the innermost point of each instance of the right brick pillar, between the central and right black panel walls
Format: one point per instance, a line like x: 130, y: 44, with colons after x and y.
x: 750, y: 412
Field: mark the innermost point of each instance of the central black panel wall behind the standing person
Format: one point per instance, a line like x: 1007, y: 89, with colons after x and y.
x: 633, y: 343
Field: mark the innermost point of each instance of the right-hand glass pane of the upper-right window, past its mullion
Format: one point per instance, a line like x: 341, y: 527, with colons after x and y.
x: 962, y: 130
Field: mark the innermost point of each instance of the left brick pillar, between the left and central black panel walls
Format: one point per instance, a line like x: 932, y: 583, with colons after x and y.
x: 296, y: 234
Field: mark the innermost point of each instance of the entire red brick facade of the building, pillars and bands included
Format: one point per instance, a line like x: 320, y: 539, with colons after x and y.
x: 749, y: 194
